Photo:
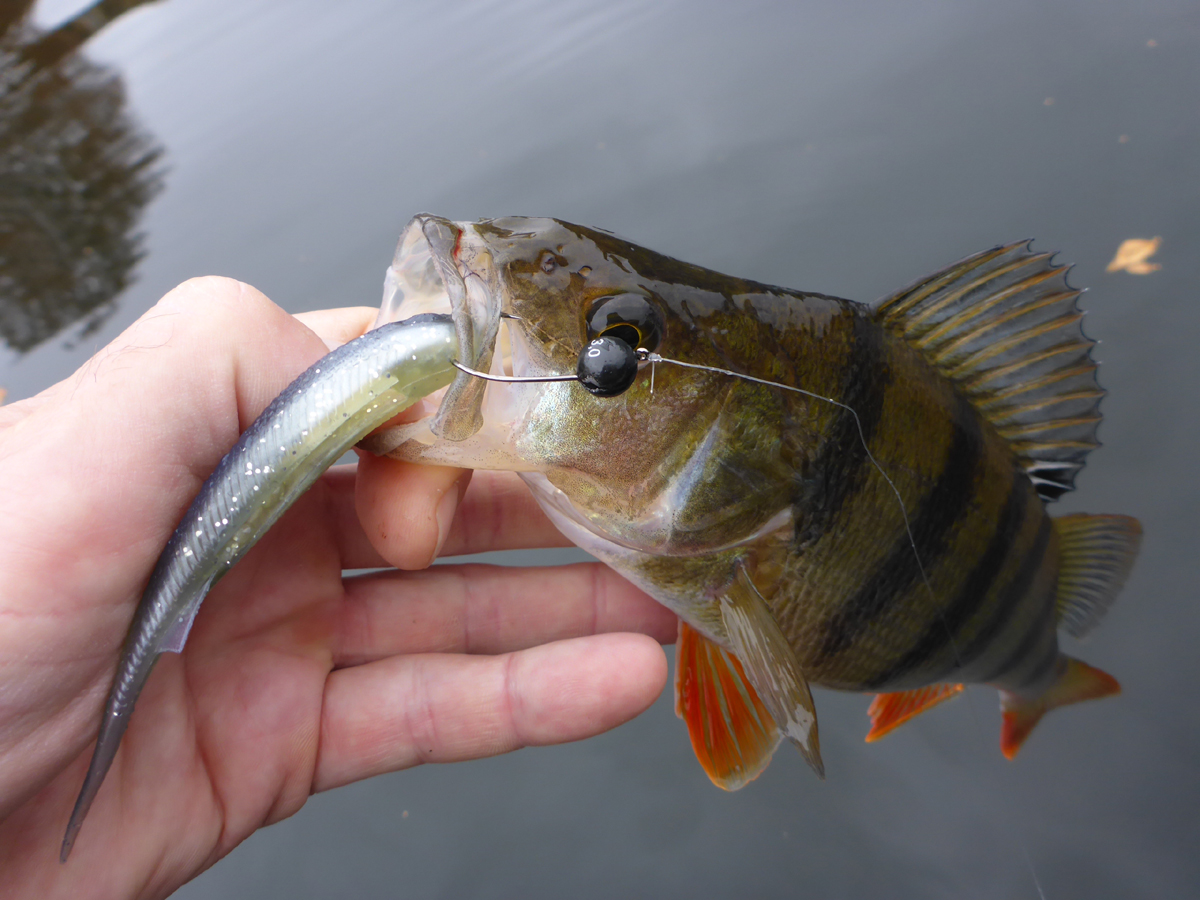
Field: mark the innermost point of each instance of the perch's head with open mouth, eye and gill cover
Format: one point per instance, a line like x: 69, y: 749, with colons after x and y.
x: 663, y: 467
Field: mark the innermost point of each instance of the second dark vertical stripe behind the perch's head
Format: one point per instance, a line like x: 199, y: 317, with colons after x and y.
x: 932, y: 530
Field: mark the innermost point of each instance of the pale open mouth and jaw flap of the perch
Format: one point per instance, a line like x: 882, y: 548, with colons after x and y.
x: 443, y: 267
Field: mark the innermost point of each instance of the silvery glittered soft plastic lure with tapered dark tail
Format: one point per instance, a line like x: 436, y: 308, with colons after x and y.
x: 302, y: 434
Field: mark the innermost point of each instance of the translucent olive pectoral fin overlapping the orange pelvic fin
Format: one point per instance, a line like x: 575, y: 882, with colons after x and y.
x: 771, y: 667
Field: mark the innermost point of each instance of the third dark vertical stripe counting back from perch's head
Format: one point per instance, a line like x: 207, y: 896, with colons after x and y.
x: 974, y: 592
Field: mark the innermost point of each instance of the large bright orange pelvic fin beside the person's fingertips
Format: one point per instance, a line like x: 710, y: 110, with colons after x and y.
x: 733, y: 733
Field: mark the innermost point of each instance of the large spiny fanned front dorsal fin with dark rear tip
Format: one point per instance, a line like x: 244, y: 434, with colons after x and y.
x: 1005, y: 327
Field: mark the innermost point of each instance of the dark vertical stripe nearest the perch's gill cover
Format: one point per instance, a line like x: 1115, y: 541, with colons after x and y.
x: 842, y: 464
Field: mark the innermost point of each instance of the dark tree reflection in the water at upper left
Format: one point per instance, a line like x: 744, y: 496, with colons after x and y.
x: 75, y: 176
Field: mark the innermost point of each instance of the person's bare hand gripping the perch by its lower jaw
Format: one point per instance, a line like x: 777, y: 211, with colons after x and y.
x: 295, y: 680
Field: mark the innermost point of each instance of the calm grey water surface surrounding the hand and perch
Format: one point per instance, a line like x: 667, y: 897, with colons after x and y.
x: 845, y: 149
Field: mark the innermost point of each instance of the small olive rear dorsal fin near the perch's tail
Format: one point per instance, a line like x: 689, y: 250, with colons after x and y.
x: 1095, y: 557
